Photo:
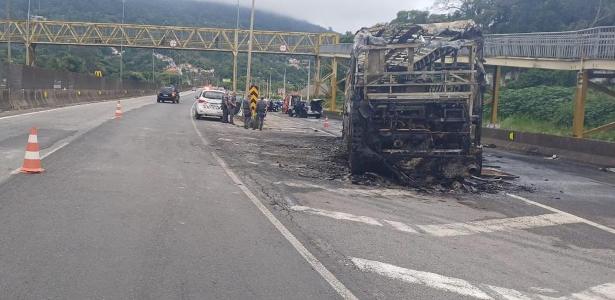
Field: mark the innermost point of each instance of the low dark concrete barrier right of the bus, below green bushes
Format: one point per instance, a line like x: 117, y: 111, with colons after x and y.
x: 593, y: 152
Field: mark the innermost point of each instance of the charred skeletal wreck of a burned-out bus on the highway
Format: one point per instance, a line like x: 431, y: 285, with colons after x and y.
x: 414, y: 100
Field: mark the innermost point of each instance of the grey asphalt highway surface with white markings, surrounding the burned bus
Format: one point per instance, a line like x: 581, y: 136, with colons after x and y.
x: 158, y: 205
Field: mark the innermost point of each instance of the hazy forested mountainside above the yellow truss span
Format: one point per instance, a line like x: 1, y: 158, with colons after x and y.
x: 161, y: 12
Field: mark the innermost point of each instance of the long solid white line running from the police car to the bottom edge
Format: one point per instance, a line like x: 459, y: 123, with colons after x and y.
x: 339, y: 287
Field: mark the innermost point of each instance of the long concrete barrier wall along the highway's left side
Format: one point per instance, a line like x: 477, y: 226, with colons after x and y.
x: 22, y: 99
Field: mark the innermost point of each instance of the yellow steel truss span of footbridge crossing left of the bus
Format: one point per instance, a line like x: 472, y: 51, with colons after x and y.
x: 162, y: 37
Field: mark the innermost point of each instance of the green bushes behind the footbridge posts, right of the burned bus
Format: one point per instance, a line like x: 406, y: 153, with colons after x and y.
x: 542, y: 102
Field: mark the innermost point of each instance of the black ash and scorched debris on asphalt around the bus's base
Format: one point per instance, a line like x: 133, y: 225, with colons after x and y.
x: 318, y: 157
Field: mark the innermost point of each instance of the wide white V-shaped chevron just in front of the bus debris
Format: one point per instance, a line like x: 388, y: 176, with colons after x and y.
x: 451, y: 229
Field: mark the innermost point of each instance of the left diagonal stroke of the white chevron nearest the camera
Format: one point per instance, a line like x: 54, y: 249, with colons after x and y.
x: 432, y: 280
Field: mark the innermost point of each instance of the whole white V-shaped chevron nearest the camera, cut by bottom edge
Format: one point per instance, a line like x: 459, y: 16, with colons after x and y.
x: 465, y: 288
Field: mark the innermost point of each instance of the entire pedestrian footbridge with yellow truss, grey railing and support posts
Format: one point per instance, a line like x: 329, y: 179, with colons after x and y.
x: 590, y: 52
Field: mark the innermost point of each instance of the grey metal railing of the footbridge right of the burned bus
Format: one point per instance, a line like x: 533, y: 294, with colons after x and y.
x: 595, y: 43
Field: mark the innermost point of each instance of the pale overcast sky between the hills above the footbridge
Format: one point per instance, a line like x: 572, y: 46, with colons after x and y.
x: 341, y: 15
